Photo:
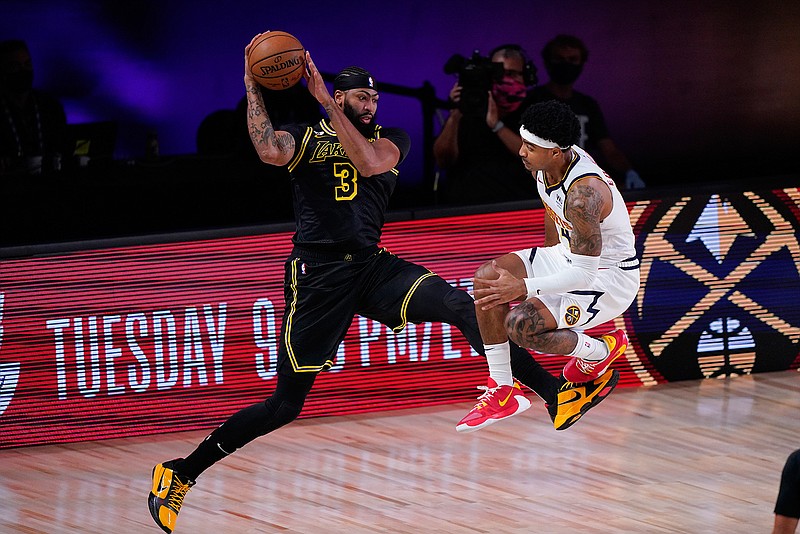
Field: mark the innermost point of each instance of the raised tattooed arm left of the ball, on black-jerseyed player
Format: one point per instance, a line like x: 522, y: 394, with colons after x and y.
x: 273, y: 147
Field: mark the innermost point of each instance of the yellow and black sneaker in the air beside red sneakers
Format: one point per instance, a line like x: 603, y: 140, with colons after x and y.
x: 574, y: 400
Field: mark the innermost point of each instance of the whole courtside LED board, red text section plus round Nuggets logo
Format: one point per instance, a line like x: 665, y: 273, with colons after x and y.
x: 142, y: 339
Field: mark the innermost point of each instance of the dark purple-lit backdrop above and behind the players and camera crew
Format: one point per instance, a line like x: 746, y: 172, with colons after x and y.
x: 677, y: 81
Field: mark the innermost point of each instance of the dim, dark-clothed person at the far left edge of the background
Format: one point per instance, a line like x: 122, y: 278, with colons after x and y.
x: 32, y: 123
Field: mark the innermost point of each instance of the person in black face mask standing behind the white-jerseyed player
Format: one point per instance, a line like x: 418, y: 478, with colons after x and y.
x: 564, y: 57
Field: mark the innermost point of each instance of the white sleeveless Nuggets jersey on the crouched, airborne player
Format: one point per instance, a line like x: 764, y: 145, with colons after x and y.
x: 615, y: 230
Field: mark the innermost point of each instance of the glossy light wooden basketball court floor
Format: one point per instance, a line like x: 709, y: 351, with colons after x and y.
x: 687, y: 457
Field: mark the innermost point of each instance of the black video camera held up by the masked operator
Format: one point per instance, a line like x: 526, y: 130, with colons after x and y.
x: 475, y: 76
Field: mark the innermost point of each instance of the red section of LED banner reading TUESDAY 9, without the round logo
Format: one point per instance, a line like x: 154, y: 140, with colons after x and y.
x: 167, y: 337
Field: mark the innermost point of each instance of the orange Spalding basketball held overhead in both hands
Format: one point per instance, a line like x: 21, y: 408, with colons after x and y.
x: 277, y: 60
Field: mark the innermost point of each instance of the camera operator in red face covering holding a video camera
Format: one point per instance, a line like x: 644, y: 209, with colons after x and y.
x: 478, y: 147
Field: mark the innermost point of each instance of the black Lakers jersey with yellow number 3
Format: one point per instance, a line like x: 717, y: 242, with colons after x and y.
x: 335, y: 208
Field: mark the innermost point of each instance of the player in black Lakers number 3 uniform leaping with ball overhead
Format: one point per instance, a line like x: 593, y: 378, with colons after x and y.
x: 343, y: 171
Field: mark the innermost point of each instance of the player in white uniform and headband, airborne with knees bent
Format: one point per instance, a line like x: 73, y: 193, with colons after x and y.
x: 585, y: 274
